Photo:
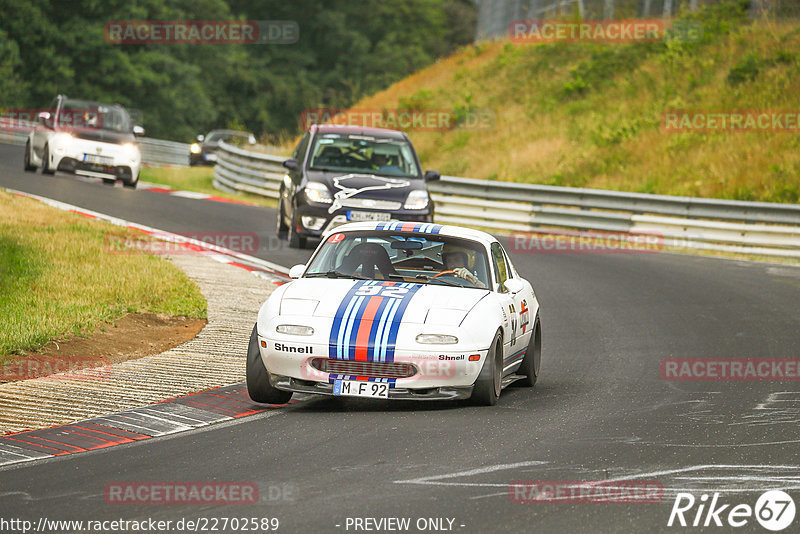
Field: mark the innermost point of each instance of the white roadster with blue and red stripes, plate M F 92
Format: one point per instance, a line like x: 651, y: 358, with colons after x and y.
x: 398, y: 310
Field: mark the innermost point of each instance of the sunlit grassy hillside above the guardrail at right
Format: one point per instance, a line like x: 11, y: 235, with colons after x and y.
x: 589, y: 114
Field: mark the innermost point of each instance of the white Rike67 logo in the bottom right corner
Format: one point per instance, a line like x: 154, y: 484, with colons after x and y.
x: 774, y: 510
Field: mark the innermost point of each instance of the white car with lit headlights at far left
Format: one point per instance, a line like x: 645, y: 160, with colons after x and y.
x: 86, y: 138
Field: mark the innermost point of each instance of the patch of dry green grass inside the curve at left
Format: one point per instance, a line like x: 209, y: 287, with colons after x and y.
x: 59, y: 277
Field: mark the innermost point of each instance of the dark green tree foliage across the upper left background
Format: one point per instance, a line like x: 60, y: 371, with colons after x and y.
x: 345, y: 50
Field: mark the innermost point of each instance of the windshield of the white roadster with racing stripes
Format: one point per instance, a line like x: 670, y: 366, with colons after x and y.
x: 376, y: 255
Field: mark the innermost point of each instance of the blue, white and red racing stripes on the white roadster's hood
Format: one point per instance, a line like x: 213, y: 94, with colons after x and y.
x: 368, y: 319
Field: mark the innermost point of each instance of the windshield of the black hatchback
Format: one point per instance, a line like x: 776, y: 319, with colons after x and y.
x: 363, y: 154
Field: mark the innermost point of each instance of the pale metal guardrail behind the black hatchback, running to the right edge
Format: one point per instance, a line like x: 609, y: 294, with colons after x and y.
x: 763, y: 228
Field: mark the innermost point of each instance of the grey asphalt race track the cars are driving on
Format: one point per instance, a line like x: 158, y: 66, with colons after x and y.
x: 600, y: 410
